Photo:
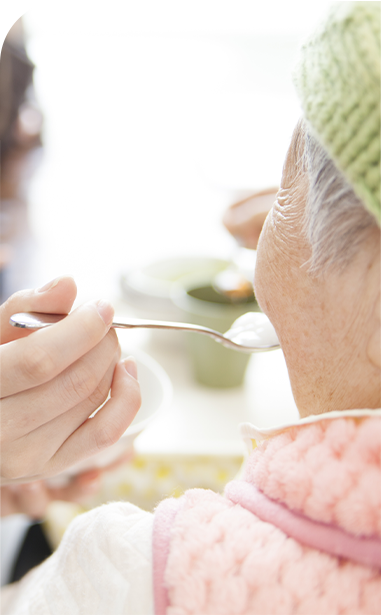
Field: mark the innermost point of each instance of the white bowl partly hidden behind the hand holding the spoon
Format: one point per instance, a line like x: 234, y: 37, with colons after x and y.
x: 156, y: 389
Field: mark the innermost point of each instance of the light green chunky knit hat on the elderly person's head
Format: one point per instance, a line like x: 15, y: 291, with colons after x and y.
x: 338, y: 80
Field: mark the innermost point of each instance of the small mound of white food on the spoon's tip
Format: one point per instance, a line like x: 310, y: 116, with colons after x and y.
x: 253, y: 329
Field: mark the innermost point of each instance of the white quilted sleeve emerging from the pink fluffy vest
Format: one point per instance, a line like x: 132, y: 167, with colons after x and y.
x: 102, y: 566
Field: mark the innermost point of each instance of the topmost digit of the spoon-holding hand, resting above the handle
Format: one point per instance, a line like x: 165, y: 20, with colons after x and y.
x: 56, y: 297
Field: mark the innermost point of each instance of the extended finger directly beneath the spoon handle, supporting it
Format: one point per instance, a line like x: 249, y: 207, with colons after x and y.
x: 40, y: 357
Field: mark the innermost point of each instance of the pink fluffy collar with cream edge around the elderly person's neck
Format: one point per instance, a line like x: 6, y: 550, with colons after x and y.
x: 327, y: 468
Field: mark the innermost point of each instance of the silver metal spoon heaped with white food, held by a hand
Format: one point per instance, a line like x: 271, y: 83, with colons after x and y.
x: 250, y: 333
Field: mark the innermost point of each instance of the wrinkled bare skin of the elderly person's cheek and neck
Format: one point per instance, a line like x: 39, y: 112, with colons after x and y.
x: 329, y: 325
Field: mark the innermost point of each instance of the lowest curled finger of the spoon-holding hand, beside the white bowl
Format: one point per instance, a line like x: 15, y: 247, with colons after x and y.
x: 109, y: 423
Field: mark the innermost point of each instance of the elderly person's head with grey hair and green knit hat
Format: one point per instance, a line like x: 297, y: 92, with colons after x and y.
x: 318, y: 274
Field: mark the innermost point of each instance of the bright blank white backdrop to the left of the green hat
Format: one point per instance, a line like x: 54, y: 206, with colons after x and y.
x: 157, y: 116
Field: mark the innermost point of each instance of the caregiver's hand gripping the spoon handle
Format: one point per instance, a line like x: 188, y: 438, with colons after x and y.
x: 53, y: 379
